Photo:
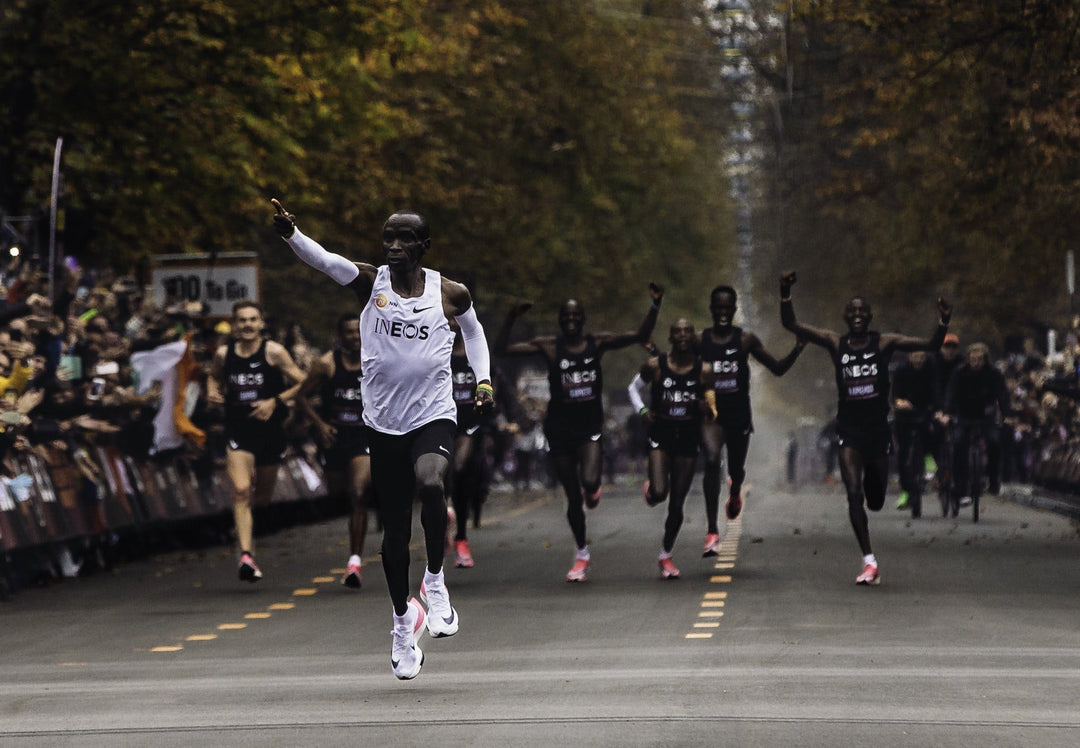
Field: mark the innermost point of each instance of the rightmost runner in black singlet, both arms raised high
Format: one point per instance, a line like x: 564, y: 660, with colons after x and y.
x: 861, y: 361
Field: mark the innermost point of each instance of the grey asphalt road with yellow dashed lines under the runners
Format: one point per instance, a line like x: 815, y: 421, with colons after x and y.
x: 974, y: 637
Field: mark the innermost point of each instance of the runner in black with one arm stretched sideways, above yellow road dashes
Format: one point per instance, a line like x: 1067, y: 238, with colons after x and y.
x: 726, y: 351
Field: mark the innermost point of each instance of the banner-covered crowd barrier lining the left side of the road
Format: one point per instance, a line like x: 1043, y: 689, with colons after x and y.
x: 56, y: 499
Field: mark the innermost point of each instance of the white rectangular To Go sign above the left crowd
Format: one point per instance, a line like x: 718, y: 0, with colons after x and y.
x: 231, y: 278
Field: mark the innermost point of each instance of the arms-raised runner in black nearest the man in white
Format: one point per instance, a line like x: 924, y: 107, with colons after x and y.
x: 575, y: 421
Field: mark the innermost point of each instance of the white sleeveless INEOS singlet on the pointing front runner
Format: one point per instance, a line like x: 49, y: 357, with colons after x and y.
x: 406, y: 349
